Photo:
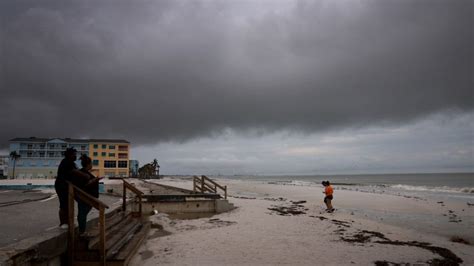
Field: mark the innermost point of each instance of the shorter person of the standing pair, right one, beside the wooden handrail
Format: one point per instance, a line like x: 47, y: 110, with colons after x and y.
x: 90, y: 185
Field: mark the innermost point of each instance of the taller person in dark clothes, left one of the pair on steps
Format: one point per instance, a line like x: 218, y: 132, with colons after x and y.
x: 67, y: 171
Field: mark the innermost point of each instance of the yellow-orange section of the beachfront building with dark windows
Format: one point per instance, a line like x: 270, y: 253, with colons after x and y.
x: 110, y: 158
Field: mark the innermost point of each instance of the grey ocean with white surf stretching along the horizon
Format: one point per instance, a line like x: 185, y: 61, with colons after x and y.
x: 453, y: 185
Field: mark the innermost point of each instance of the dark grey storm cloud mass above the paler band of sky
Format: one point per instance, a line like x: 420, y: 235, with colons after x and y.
x: 173, y: 70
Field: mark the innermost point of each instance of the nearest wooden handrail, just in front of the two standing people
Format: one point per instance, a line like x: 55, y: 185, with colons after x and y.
x: 97, y: 204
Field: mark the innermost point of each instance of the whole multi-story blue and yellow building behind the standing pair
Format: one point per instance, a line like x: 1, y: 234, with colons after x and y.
x: 40, y: 157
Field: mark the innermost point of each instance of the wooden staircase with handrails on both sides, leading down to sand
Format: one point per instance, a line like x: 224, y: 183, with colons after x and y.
x: 116, y: 237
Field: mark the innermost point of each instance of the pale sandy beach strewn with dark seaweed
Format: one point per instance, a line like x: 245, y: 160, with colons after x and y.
x: 280, y: 224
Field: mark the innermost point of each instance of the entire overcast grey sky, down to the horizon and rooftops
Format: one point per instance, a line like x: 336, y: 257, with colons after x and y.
x: 248, y: 87
